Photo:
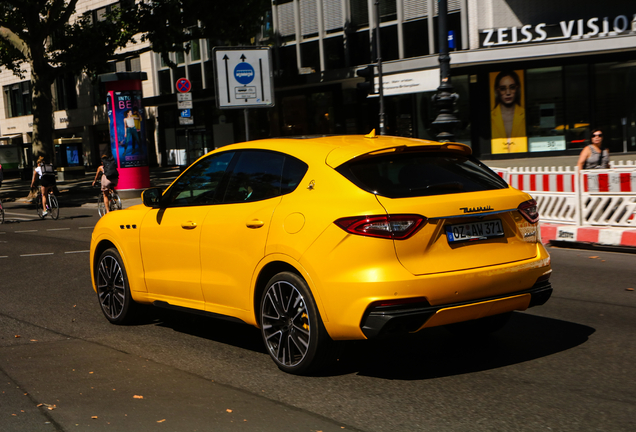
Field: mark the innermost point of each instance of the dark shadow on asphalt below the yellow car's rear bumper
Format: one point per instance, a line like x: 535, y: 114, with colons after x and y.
x: 436, y: 352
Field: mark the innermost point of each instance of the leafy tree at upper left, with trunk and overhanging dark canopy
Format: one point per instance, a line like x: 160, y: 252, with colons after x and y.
x: 47, y: 39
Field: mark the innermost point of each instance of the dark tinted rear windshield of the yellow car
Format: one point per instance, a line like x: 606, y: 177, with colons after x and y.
x: 420, y: 173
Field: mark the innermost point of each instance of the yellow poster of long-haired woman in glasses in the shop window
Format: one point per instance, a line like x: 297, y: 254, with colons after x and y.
x: 508, y: 117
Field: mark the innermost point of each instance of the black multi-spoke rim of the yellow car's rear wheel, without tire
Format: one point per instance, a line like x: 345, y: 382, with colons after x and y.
x: 285, y: 323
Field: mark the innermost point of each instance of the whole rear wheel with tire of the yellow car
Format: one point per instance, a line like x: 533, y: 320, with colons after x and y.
x: 292, y: 330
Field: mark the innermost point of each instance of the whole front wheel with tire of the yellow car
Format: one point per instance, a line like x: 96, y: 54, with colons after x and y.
x: 113, y: 290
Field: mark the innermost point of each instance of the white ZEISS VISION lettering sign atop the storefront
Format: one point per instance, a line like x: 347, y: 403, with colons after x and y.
x: 579, y: 29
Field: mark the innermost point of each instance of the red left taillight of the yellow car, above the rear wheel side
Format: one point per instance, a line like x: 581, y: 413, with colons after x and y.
x: 397, y: 227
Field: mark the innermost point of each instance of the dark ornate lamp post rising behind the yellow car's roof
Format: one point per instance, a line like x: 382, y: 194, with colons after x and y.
x: 445, y: 98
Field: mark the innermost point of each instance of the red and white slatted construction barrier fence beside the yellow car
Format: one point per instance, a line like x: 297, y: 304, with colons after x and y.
x: 605, y: 198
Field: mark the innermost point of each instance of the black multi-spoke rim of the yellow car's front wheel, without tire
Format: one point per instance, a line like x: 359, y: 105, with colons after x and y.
x: 111, y: 287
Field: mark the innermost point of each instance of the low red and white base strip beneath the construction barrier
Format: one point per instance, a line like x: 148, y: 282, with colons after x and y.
x: 623, y: 237
